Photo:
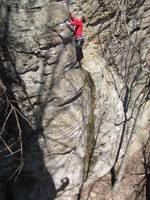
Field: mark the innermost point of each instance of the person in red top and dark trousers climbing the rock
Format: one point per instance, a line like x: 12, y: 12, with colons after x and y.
x: 77, y: 23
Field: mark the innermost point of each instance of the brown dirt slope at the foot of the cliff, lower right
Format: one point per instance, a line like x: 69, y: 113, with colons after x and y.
x: 134, y: 186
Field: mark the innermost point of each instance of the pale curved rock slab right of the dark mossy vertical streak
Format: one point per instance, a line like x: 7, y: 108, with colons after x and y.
x: 106, y: 101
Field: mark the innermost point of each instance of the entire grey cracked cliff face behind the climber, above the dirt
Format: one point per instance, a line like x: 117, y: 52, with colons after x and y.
x: 74, y: 124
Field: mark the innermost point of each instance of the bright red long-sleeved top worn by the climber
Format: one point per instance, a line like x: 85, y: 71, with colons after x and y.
x: 78, y: 26
